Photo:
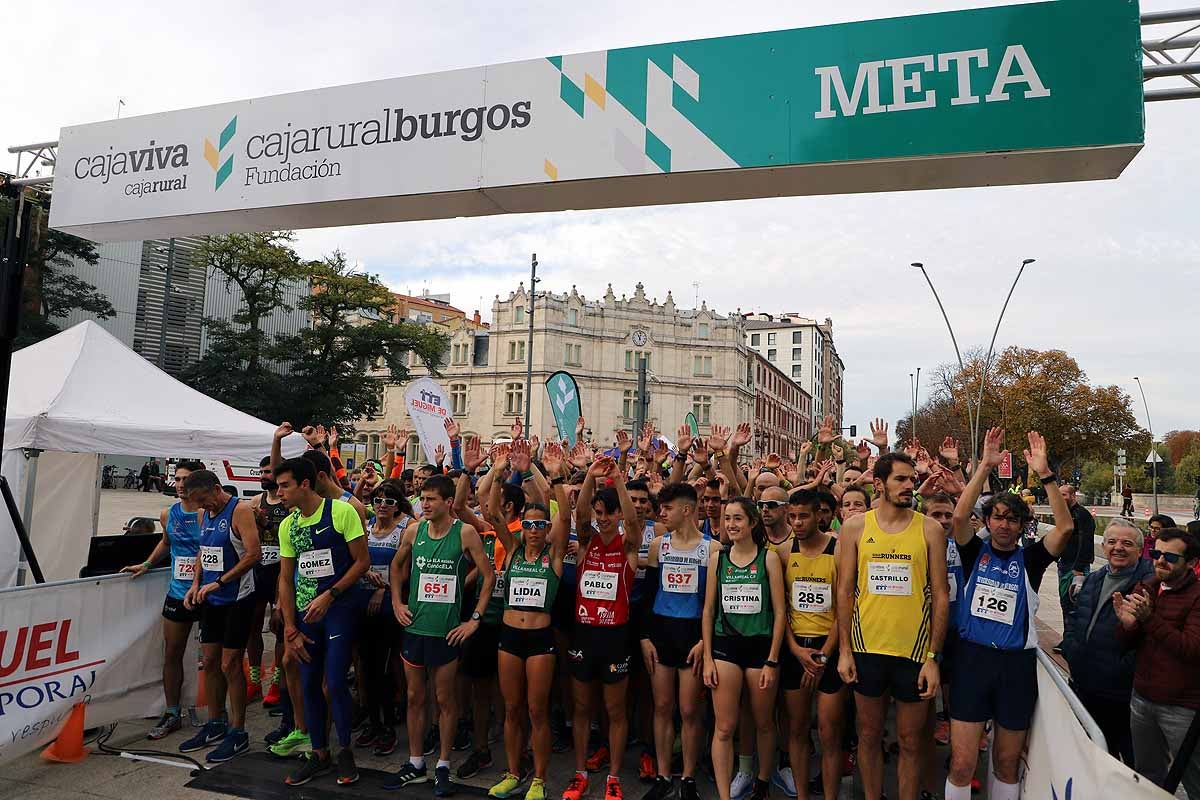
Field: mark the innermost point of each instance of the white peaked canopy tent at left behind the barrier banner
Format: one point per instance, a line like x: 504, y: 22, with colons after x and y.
x: 82, y: 394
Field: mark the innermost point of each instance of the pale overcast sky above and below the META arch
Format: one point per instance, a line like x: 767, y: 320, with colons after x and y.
x: 1118, y: 261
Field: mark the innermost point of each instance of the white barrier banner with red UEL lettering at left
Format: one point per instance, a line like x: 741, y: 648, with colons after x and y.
x: 95, y: 641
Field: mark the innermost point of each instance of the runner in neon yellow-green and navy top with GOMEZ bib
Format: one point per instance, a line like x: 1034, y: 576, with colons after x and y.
x: 323, y: 555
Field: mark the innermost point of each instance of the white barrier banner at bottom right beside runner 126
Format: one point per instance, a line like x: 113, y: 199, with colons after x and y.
x: 1063, y: 763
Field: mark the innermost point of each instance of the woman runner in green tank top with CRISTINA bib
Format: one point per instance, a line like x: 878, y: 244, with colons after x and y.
x: 746, y: 617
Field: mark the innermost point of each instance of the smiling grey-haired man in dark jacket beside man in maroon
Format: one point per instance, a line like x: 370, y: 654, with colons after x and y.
x: 1101, y: 670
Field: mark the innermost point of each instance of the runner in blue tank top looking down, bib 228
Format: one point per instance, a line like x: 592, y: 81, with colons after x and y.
x: 224, y: 590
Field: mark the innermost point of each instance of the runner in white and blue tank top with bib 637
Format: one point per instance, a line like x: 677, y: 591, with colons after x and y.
x: 673, y: 635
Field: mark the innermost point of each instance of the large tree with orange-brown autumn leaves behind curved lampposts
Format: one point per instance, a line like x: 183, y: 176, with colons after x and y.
x: 1033, y: 390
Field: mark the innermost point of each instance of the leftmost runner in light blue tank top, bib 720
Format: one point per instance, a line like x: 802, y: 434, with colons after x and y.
x: 181, y: 544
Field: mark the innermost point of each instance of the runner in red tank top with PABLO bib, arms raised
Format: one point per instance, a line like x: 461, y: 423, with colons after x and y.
x: 601, y: 651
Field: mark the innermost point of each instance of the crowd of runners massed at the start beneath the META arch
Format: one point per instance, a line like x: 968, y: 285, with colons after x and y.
x: 719, y: 611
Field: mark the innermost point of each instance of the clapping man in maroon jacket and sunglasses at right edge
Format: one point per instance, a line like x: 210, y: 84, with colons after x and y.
x: 1161, y: 621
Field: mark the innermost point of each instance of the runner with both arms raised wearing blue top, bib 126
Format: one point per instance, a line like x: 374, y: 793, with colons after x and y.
x: 995, y: 671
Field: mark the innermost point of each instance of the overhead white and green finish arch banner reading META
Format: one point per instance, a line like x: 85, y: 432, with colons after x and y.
x: 1022, y: 94
